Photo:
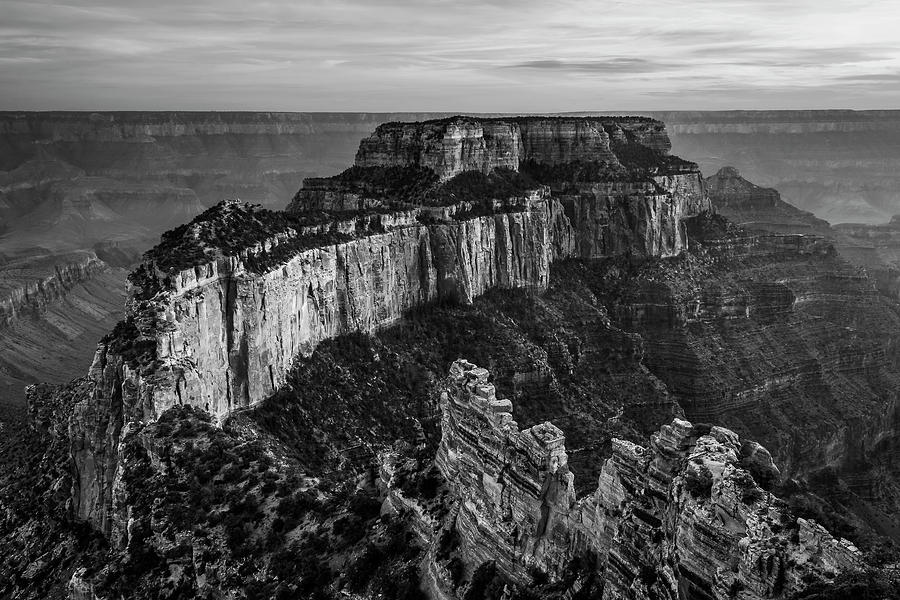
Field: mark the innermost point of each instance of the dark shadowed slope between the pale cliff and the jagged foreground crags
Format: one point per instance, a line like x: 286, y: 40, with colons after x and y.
x: 554, y: 355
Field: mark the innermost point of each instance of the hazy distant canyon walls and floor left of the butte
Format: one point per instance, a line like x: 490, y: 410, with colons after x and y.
x: 78, y: 188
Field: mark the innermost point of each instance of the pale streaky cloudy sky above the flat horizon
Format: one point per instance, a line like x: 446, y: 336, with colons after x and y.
x: 449, y: 55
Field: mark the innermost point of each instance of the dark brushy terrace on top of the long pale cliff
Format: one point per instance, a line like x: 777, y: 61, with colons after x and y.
x: 263, y: 239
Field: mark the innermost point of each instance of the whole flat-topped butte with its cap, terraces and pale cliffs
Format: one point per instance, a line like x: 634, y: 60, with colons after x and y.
x: 224, y: 304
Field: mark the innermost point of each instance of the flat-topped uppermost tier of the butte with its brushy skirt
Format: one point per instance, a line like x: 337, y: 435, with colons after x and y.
x: 421, y: 163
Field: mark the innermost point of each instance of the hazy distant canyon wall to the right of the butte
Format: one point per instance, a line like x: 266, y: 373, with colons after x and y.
x: 844, y: 166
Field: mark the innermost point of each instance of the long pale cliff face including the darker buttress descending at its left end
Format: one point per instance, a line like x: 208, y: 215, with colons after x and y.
x: 222, y: 336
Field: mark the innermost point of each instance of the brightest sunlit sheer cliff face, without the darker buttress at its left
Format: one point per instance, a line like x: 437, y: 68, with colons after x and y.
x: 229, y: 331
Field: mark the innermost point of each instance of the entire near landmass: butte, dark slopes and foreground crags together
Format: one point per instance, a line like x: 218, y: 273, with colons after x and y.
x: 283, y: 411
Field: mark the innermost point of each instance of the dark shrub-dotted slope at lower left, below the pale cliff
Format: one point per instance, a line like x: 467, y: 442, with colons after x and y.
x: 235, y: 515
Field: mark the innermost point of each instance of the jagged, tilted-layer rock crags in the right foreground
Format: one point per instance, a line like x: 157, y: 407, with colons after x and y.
x: 685, y: 517
